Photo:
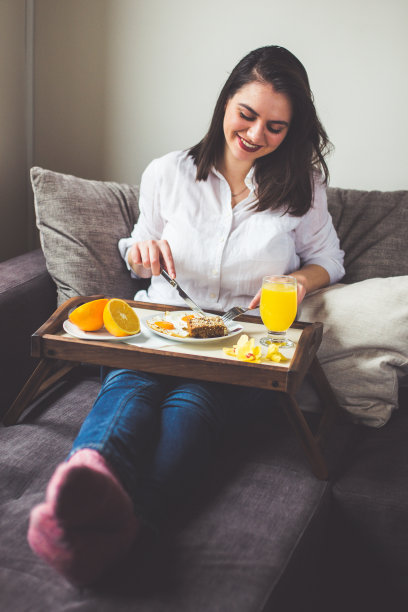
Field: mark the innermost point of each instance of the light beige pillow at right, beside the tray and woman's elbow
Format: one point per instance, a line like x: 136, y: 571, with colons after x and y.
x: 364, y: 351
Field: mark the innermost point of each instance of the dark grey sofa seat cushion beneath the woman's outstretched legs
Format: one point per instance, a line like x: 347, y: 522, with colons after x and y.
x: 256, y: 528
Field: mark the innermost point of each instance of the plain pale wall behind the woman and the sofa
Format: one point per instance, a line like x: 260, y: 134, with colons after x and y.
x: 118, y: 82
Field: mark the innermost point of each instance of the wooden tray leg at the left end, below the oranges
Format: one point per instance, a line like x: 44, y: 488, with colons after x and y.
x: 44, y: 375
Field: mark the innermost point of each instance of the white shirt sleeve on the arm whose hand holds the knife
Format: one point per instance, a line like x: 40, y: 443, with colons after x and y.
x: 150, y: 223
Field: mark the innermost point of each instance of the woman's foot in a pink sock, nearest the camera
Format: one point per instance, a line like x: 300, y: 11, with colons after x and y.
x: 86, y: 523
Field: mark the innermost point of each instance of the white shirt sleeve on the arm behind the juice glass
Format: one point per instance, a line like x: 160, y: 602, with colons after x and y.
x: 316, y: 239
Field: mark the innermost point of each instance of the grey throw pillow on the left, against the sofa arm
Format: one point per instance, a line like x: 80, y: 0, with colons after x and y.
x: 80, y: 222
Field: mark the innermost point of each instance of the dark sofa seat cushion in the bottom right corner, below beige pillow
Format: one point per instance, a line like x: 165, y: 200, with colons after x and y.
x: 371, y: 513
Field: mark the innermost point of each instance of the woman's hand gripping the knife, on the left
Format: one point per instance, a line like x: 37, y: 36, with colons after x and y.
x: 148, y: 256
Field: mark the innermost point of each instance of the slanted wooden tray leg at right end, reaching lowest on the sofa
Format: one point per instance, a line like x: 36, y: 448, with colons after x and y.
x: 308, y: 440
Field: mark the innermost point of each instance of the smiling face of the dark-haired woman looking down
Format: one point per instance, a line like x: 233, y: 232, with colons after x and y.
x: 256, y: 121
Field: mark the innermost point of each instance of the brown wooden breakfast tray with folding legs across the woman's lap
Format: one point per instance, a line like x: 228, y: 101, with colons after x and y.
x: 59, y: 353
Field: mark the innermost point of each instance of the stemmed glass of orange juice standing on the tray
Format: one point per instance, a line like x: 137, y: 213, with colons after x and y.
x: 278, y: 308
